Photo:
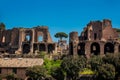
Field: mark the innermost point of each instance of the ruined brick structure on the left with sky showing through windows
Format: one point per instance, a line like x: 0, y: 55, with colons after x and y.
x: 26, y: 40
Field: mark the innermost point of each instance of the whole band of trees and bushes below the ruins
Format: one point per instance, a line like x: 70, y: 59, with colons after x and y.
x: 70, y: 67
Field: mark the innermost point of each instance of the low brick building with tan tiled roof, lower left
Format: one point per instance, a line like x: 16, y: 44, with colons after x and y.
x: 17, y: 66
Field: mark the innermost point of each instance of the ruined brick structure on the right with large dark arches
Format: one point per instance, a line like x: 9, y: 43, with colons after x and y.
x: 97, y: 38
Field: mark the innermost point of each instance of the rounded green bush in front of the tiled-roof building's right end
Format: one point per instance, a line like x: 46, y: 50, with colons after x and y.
x: 36, y: 72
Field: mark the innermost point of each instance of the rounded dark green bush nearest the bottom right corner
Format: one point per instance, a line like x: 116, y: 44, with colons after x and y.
x: 106, y: 72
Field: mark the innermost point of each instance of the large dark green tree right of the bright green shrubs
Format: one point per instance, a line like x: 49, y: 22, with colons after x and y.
x: 72, y: 65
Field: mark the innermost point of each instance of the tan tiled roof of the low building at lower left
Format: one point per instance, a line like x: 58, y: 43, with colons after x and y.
x: 20, y: 62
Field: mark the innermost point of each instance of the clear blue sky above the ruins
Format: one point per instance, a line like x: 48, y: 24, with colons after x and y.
x: 59, y: 15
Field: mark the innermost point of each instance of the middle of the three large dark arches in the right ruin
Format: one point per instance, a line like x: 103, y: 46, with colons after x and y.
x: 95, y: 48
